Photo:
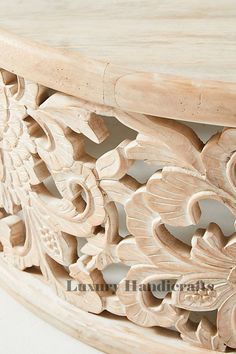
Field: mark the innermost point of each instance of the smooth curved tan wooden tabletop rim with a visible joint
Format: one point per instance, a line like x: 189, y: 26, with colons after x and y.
x: 163, y: 95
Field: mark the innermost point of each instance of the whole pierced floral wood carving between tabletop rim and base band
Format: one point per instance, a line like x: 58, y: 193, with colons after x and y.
x: 42, y: 136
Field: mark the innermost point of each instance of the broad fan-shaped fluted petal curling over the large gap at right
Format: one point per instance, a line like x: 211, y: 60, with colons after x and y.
x: 177, y: 192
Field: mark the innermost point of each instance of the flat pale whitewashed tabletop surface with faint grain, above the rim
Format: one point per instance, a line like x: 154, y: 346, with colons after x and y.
x: 191, y: 38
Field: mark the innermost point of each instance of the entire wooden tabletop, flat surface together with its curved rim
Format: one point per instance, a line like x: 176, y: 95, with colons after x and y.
x: 182, y: 55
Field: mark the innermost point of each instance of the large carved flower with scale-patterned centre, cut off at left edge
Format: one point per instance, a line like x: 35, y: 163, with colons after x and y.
x: 40, y: 136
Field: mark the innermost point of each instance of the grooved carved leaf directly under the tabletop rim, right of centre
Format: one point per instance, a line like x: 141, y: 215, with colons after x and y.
x: 163, y: 141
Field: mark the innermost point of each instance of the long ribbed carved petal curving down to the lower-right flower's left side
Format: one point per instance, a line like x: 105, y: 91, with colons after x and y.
x: 152, y: 238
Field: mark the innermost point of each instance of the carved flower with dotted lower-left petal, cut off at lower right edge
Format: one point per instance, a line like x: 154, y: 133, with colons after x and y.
x: 217, y: 260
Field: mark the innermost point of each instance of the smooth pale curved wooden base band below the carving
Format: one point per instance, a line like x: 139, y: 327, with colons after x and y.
x: 110, y: 334
